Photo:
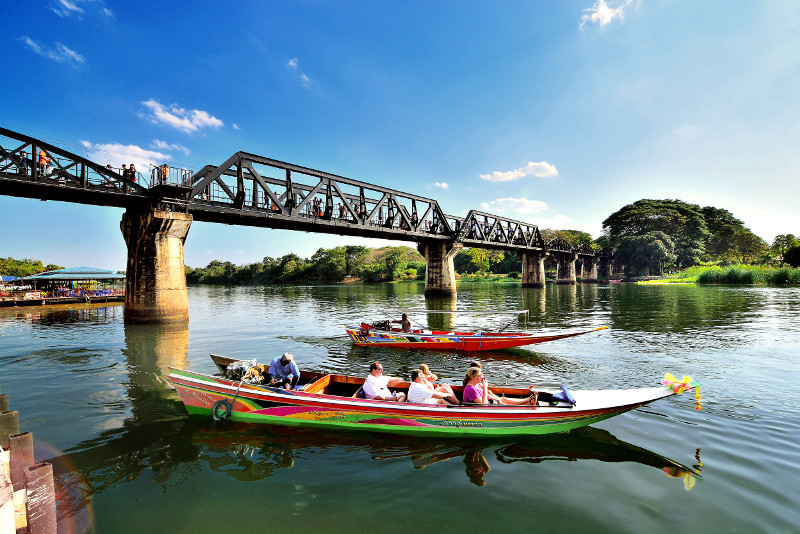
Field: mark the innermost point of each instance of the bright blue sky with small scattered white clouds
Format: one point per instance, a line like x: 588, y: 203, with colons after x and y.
x: 555, y: 113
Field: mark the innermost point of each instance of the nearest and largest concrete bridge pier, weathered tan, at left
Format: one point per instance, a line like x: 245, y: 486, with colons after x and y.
x: 155, y: 285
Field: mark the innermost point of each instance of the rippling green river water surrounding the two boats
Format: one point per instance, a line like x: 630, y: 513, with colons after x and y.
x: 95, y: 395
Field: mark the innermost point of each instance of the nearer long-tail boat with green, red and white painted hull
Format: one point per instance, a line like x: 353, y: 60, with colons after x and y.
x: 323, y: 400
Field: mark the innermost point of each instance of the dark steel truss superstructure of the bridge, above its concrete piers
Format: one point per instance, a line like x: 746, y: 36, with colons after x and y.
x: 253, y: 190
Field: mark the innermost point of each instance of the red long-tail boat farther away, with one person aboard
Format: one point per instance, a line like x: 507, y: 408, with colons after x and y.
x: 381, y: 334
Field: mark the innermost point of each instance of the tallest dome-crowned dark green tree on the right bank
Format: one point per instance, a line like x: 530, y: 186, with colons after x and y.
x: 684, y: 224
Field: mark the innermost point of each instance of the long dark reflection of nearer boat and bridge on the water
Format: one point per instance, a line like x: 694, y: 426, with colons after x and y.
x: 170, y: 451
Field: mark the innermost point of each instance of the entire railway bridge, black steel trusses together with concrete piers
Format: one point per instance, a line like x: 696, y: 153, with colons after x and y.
x: 253, y: 190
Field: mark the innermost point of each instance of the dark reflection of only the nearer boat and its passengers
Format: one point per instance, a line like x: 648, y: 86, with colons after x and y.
x: 255, y: 451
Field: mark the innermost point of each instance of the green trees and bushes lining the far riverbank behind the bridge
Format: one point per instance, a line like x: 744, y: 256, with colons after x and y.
x: 673, y: 240
